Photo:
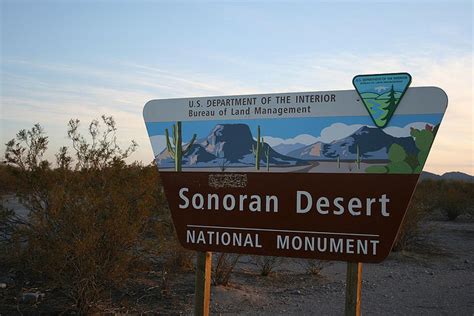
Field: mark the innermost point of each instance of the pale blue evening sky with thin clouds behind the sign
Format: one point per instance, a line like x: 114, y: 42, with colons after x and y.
x: 81, y: 59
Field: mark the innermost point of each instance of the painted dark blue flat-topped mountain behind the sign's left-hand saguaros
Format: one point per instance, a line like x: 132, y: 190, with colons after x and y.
x: 229, y: 145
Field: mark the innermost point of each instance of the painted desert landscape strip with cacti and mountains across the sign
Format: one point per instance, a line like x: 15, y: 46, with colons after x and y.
x: 334, y: 144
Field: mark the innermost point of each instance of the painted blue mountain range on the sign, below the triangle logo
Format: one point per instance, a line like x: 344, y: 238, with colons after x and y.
x: 373, y: 144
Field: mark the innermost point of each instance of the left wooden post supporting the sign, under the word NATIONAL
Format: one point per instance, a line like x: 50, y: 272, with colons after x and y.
x: 202, y: 290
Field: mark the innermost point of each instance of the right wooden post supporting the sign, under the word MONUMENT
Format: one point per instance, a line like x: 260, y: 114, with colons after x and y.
x: 353, y: 288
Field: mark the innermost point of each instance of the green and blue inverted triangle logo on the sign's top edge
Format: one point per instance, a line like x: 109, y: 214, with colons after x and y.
x: 381, y: 94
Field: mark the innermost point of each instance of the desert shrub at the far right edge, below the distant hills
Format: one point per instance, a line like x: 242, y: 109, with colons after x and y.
x: 455, y: 198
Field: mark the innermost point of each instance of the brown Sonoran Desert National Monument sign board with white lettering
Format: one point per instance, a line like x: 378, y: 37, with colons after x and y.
x: 292, y: 174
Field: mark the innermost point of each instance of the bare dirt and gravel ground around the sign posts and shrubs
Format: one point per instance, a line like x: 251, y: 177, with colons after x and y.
x: 435, y: 277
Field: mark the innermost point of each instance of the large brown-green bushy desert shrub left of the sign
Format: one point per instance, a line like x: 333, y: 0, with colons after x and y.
x: 89, y: 217
